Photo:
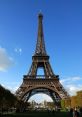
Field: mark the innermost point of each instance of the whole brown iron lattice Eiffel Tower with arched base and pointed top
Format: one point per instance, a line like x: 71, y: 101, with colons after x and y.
x: 47, y: 83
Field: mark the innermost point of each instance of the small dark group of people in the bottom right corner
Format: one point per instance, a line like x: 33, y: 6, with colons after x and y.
x: 76, y: 112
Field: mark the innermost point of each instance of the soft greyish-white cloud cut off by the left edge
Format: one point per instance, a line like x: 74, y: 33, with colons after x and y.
x: 5, y: 60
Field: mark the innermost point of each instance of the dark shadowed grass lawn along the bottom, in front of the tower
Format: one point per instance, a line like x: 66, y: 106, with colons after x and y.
x: 39, y: 114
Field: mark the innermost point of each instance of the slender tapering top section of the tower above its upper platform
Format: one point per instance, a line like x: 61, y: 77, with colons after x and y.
x: 40, y: 46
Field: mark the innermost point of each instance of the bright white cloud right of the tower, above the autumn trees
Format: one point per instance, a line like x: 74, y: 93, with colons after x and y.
x: 72, y: 84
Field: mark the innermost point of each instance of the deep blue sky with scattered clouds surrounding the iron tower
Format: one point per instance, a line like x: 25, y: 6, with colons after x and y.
x: 62, y: 24
